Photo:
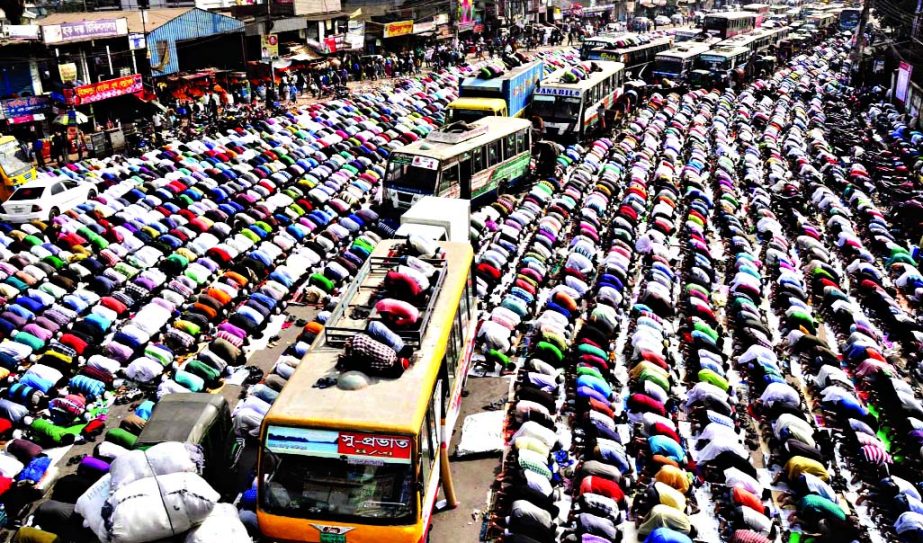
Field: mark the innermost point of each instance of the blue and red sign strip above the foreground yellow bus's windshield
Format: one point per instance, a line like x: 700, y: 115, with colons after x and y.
x: 357, y: 447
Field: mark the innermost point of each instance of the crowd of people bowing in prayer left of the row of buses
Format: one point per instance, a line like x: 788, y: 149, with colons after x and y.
x: 165, y: 281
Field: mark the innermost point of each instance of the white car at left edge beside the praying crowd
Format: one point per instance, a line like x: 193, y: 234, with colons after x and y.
x: 45, y: 199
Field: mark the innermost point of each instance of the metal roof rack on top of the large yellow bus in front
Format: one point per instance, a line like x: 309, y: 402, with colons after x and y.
x: 357, y: 305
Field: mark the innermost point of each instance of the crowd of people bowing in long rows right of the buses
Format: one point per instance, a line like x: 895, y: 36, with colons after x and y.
x: 712, y: 322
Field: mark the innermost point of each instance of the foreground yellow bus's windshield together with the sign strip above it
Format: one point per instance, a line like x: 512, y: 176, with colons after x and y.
x: 306, y: 473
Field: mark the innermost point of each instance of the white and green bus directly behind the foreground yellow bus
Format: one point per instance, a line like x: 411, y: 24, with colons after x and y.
x: 460, y: 160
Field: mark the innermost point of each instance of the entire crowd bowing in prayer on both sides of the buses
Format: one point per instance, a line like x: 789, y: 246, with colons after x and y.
x: 709, y: 312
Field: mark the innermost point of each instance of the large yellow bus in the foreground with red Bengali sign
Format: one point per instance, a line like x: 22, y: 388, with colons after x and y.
x: 365, y: 466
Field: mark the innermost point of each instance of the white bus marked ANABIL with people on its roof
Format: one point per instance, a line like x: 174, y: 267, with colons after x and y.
x: 571, y: 100
